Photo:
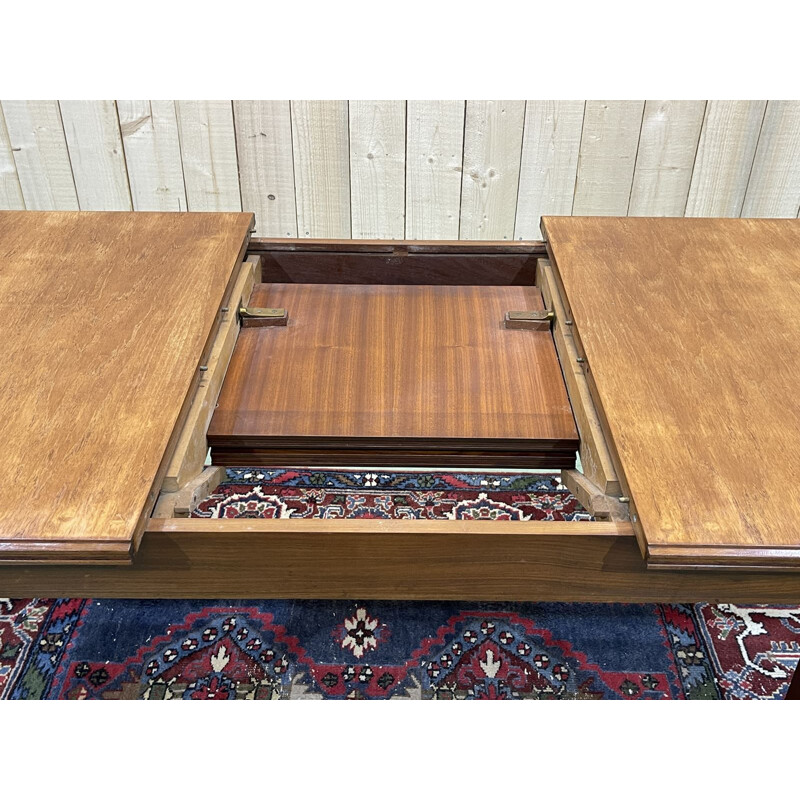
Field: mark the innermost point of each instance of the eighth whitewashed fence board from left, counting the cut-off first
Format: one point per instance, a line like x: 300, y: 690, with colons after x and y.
x: 378, y: 168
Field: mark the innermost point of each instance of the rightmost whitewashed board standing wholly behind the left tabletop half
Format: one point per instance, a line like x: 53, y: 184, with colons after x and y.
x: 208, y: 151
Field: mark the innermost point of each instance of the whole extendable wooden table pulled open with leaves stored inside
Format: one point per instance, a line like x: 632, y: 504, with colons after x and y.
x: 665, y: 351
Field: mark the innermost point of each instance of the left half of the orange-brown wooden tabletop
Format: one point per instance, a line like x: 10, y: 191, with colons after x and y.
x: 105, y: 317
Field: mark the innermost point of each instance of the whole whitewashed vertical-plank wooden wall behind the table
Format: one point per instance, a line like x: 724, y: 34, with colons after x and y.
x: 448, y: 169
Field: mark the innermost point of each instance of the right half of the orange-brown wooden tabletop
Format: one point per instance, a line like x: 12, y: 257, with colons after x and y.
x: 691, y: 339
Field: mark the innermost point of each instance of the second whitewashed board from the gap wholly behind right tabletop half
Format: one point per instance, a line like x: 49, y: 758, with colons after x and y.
x: 667, y: 148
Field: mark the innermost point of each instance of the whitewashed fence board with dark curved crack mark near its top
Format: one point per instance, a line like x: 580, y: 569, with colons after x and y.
x: 153, y: 154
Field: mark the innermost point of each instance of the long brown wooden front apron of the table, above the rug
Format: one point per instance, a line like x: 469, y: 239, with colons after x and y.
x: 435, y: 560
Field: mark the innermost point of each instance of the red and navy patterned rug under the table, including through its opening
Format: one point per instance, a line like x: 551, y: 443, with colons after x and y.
x: 231, y: 649
